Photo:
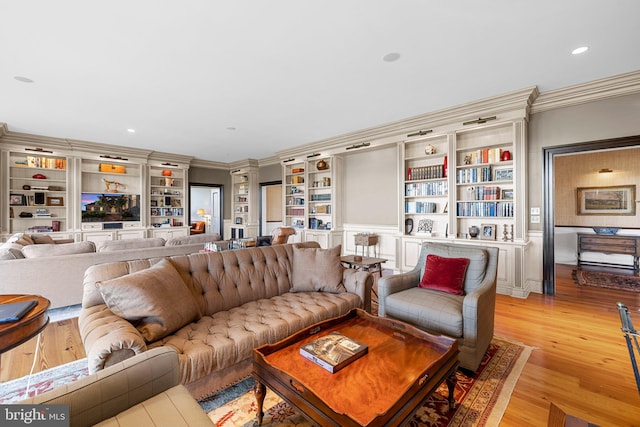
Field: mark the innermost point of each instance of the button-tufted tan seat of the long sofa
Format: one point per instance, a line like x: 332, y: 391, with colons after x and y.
x: 228, y: 337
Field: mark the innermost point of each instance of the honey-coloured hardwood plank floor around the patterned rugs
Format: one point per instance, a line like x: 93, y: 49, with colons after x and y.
x: 580, y: 361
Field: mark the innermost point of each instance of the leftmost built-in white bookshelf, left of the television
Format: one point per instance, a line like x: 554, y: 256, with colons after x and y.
x: 38, y: 198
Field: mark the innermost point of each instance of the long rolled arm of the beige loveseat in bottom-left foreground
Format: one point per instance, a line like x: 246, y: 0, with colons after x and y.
x: 117, y: 388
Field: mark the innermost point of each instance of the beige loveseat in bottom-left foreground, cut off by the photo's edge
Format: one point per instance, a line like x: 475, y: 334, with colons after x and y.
x: 144, y: 390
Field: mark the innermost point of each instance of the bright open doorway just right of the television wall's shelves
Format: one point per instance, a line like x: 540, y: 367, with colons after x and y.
x: 205, y: 204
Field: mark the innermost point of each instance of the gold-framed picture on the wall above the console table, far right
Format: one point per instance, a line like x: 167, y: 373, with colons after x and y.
x: 612, y: 200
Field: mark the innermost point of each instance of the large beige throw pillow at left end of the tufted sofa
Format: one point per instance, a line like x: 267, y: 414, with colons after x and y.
x: 156, y: 300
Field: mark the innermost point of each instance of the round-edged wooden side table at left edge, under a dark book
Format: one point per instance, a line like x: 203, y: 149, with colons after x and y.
x: 15, y: 333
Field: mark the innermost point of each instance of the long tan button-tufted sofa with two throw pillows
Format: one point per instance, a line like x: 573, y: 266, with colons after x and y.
x: 214, y: 308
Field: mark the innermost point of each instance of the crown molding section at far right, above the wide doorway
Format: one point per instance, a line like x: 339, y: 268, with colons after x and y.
x: 610, y: 87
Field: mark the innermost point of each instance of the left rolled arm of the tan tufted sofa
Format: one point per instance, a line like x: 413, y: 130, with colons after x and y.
x: 108, y: 338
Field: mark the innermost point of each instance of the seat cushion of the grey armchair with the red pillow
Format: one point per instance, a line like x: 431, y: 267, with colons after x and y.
x: 433, y: 311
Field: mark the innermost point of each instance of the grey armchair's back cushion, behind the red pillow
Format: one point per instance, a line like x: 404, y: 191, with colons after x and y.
x: 477, y: 256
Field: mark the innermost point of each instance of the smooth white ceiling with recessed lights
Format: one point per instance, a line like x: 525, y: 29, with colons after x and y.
x: 285, y: 73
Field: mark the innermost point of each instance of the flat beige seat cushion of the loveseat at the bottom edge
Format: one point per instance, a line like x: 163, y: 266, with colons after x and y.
x: 173, y: 407
